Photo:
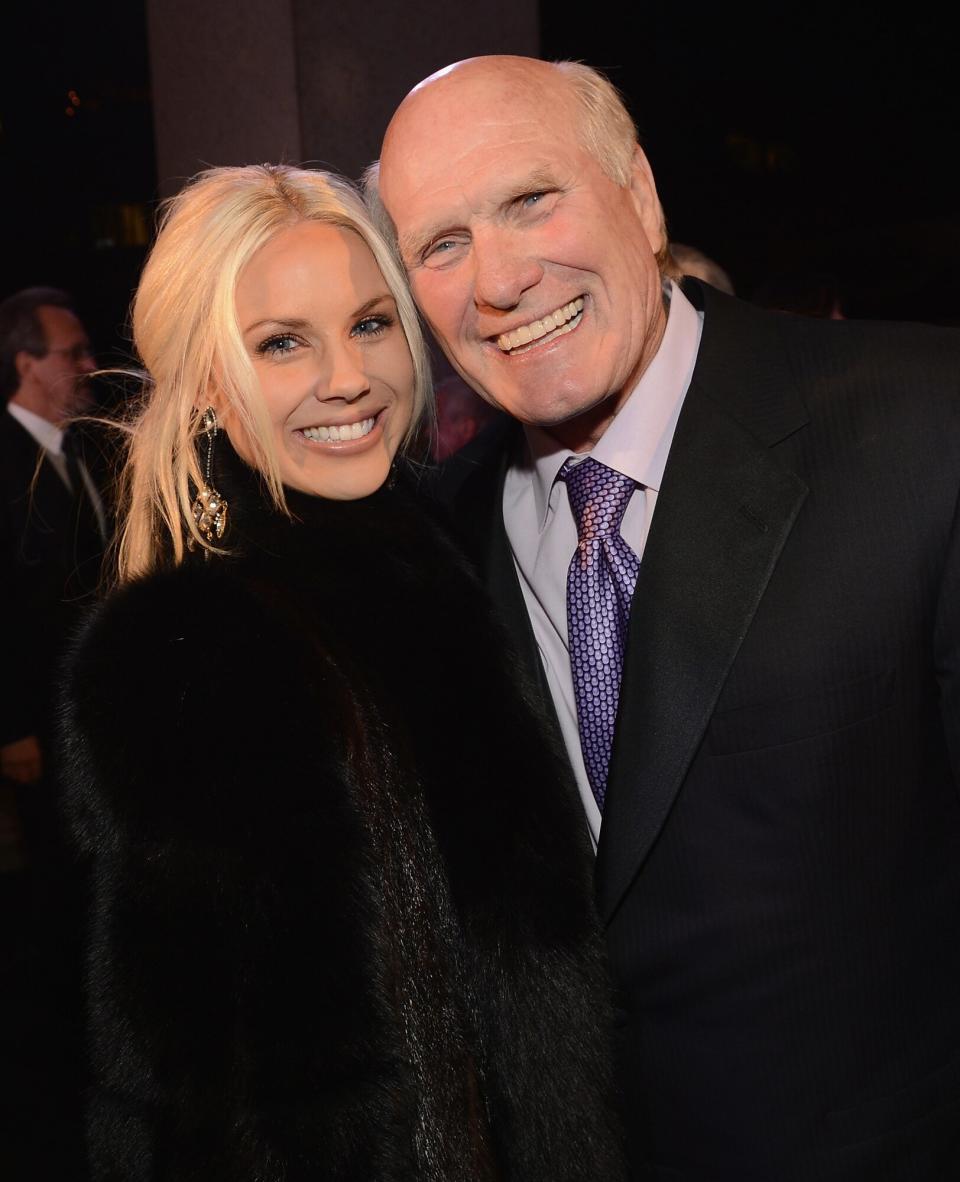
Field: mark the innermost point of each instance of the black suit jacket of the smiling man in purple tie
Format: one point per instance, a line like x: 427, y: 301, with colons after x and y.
x: 780, y: 862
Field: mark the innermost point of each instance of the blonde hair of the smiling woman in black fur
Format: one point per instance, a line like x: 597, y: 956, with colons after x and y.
x: 189, y: 339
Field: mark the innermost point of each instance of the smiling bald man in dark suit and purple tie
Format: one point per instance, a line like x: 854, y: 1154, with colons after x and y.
x: 779, y: 861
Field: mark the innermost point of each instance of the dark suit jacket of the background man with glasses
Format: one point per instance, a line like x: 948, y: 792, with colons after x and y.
x: 50, y: 562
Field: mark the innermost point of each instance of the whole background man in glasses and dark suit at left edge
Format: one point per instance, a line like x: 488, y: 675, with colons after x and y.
x: 53, y: 537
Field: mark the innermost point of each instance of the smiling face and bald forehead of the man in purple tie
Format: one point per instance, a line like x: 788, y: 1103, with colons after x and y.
x: 536, y: 272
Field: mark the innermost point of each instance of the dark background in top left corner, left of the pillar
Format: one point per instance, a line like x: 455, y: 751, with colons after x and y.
x: 77, y: 189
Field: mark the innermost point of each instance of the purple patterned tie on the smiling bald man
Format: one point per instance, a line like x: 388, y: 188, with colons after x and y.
x: 600, y: 587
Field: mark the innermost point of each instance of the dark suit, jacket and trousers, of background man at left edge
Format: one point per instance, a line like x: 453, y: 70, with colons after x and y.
x: 50, y: 563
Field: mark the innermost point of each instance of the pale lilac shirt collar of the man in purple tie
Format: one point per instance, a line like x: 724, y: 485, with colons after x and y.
x: 638, y: 441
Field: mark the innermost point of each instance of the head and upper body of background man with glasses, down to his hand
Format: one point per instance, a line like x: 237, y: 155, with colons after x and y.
x: 53, y: 525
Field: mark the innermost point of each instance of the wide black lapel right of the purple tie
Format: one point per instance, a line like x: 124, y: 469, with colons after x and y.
x: 724, y: 515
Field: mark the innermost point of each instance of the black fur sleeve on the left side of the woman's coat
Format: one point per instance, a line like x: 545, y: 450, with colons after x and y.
x: 205, y: 778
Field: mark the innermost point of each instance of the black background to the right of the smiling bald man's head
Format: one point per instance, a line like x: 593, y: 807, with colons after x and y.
x: 805, y: 139
